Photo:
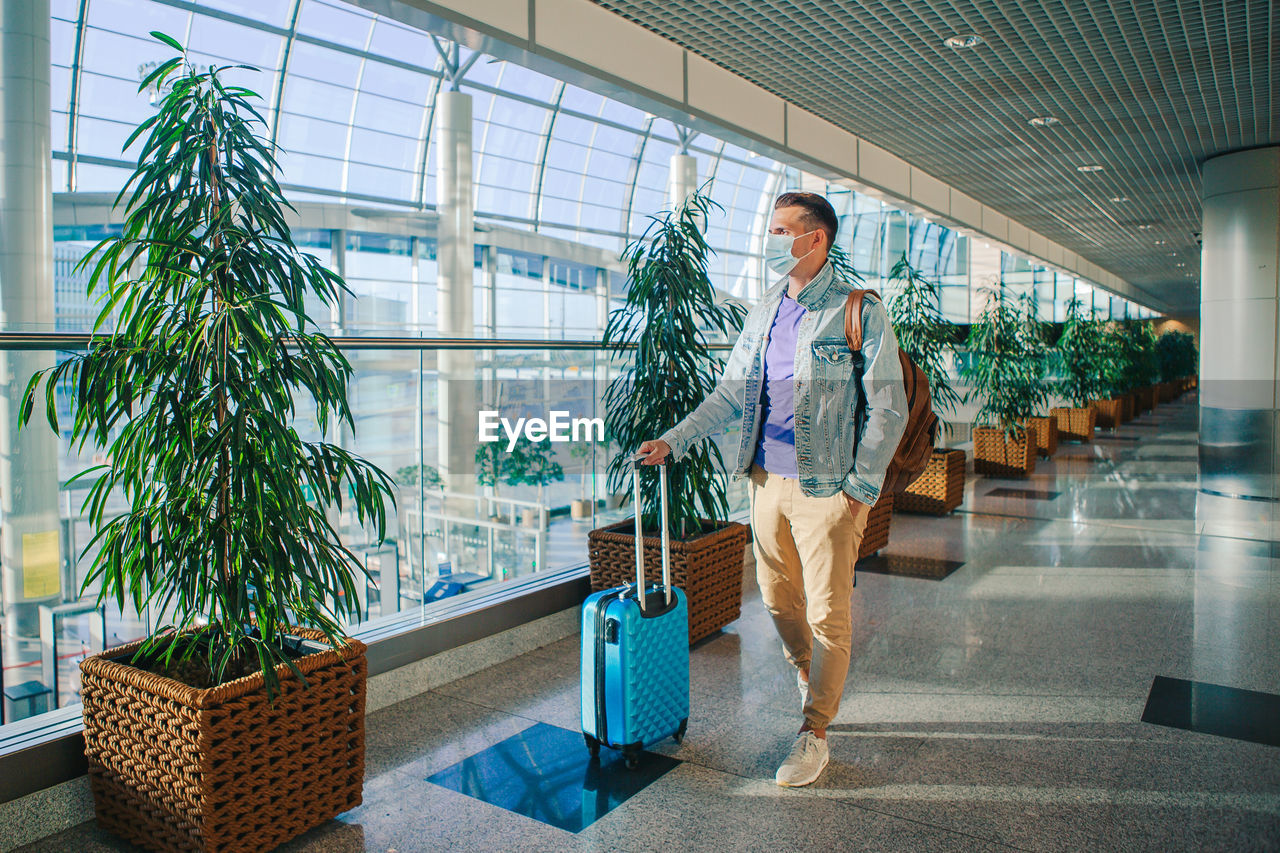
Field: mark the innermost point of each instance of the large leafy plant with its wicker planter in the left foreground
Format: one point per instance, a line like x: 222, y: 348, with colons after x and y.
x: 241, y: 723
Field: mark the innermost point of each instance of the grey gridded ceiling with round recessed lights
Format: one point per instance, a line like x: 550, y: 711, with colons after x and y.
x: 1145, y: 89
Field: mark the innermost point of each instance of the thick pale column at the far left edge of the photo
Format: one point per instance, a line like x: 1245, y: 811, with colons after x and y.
x: 29, y: 459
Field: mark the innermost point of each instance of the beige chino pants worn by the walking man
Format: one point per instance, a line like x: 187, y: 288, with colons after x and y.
x: 806, y: 550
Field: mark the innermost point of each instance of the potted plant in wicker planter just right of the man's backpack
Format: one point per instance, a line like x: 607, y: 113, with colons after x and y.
x: 927, y: 337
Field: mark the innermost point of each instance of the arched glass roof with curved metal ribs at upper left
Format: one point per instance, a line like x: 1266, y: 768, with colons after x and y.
x: 350, y: 99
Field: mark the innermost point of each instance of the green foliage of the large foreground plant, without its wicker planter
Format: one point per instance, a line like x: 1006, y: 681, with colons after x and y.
x: 193, y: 396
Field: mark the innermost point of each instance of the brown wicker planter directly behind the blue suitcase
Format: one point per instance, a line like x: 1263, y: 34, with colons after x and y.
x: 708, y: 568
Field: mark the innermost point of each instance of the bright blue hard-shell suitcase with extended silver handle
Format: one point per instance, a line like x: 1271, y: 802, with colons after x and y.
x: 636, y: 656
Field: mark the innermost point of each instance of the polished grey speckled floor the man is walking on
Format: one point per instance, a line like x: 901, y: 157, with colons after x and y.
x: 999, y: 708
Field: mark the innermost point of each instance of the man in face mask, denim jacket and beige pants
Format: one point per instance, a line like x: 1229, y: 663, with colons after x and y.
x: 816, y: 446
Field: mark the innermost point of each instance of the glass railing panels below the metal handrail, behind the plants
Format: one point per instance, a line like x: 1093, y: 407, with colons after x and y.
x: 459, y: 531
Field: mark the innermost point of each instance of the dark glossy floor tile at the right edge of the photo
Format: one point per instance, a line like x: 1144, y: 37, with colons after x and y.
x: 1213, y: 709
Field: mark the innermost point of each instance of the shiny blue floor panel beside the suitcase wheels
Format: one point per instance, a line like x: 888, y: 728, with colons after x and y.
x: 546, y: 773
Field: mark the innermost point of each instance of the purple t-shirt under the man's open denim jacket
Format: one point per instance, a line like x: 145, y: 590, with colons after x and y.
x: 776, y: 453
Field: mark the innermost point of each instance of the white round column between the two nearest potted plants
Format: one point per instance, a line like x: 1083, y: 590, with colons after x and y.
x: 456, y: 290
